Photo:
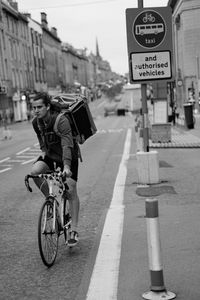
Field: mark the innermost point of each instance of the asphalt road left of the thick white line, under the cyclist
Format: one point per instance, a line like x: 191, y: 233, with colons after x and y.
x: 23, y: 276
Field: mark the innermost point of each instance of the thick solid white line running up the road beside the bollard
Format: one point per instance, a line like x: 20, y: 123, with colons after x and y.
x: 104, y: 279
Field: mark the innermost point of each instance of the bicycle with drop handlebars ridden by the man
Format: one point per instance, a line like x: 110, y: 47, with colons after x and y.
x: 54, y: 217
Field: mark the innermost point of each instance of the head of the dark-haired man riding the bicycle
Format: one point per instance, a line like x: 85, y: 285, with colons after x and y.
x: 41, y: 105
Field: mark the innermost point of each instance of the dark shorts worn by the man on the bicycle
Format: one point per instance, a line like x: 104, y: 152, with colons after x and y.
x: 54, y: 165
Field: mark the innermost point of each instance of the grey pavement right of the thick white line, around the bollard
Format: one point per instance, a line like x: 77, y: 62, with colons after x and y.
x: 178, y: 195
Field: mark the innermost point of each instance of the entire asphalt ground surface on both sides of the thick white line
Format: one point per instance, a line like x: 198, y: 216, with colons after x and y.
x: 22, y: 274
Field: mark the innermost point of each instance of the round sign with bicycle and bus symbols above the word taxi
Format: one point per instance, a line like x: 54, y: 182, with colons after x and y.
x: 149, y: 29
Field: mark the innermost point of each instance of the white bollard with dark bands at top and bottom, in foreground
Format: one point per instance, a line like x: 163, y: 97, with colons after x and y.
x: 157, y: 288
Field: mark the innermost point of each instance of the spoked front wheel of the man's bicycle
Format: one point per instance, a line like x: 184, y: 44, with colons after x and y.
x: 48, y: 234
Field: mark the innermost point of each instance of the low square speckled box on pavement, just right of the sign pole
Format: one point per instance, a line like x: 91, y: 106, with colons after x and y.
x: 161, y: 133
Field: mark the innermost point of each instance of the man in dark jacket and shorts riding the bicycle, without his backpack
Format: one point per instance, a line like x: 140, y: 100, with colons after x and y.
x: 59, y: 149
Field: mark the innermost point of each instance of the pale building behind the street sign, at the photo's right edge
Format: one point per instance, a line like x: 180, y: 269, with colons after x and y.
x: 186, y: 26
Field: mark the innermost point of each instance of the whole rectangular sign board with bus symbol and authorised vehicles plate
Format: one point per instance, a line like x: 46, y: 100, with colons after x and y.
x: 149, y: 39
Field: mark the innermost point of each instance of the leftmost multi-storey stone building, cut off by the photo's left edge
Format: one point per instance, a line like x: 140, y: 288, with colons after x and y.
x: 16, y: 61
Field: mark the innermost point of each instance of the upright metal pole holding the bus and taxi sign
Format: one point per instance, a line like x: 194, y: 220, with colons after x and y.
x: 144, y: 106
